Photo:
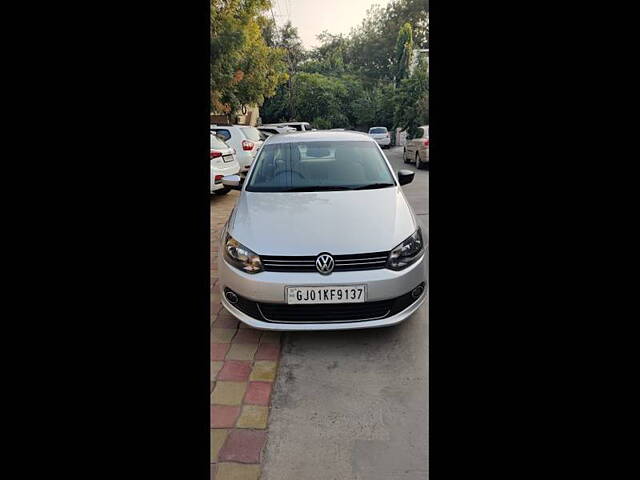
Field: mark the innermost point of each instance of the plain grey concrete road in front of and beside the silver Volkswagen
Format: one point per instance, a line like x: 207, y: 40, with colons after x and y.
x: 354, y: 405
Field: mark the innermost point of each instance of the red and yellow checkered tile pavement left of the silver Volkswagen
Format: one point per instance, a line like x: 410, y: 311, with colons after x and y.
x: 244, y: 364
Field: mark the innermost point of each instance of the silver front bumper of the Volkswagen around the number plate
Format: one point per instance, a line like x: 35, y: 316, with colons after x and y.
x: 269, y: 288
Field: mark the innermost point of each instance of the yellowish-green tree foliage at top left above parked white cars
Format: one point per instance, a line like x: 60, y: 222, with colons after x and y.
x: 244, y: 69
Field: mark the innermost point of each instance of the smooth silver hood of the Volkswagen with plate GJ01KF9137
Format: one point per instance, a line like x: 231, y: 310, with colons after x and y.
x: 309, y: 223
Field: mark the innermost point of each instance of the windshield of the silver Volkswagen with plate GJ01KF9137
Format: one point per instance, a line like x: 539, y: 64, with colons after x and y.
x: 318, y: 166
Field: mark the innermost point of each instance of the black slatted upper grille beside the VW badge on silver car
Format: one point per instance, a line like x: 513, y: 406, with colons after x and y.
x: 343, y: 263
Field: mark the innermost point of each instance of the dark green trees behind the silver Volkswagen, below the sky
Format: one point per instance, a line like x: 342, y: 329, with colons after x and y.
x: 347, y: 81
